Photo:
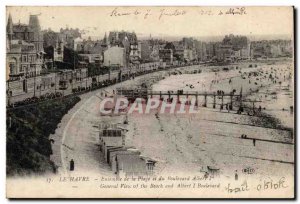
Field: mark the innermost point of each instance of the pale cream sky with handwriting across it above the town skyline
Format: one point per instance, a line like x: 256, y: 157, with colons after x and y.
x: 199, y: 22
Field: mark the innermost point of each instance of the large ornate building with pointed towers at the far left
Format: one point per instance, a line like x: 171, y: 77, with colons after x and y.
x: 24, y: 49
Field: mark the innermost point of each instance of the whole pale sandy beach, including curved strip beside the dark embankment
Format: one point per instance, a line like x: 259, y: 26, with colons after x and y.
x: 182, y: 143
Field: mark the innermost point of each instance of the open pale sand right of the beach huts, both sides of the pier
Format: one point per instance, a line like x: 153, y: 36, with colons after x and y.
x: 189, y: 143
